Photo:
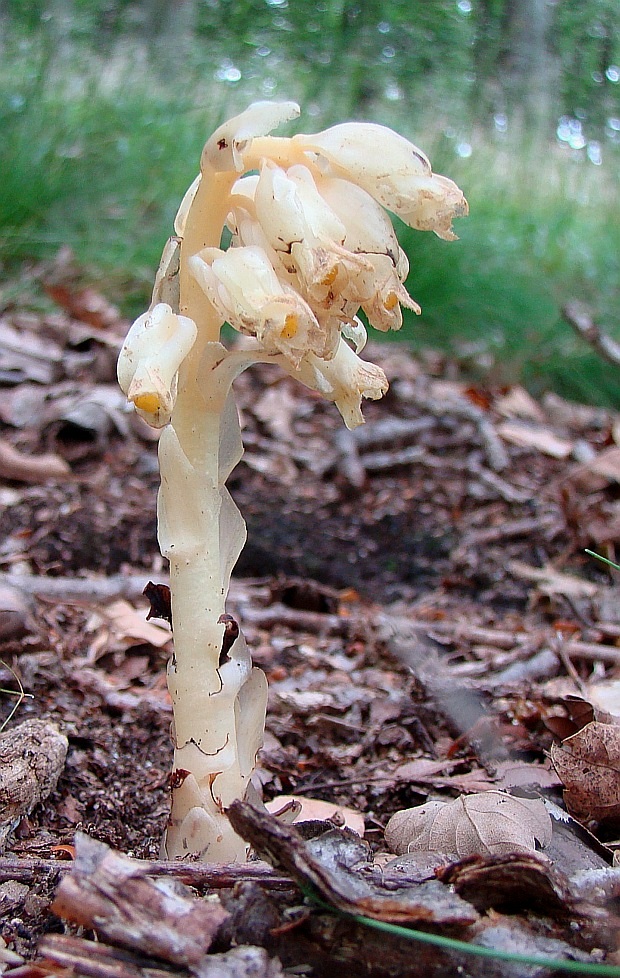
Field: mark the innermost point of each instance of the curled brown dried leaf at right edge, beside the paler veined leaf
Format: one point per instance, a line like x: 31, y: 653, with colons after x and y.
x: 588, y: 764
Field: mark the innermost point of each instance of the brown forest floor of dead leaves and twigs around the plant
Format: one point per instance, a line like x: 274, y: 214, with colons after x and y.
x: 416, y: 591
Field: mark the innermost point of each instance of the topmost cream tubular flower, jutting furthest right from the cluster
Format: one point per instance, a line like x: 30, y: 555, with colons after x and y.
x: 399, y: 177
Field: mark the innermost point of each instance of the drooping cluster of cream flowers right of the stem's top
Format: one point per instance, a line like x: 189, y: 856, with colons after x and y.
x: 312, y: 243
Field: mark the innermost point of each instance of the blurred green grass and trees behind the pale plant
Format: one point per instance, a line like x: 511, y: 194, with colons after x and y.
x: 105, y: 106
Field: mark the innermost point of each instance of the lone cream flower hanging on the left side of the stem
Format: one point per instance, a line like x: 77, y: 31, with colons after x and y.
x: 148, y: 364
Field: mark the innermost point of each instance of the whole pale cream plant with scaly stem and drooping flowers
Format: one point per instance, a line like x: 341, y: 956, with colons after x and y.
x: 311, y: 245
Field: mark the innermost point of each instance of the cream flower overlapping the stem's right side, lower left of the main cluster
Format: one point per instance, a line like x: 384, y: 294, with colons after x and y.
x: 243, y: 287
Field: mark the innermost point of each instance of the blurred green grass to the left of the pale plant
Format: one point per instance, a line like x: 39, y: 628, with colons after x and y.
x: 97, y: 167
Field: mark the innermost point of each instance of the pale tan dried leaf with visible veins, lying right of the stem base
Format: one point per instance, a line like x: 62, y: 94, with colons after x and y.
x: 485, y: 822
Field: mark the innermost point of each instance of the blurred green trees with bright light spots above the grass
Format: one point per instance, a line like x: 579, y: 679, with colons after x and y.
x: 489, y: 54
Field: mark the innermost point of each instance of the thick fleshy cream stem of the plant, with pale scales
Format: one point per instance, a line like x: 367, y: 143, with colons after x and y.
x: 219, y: 701
